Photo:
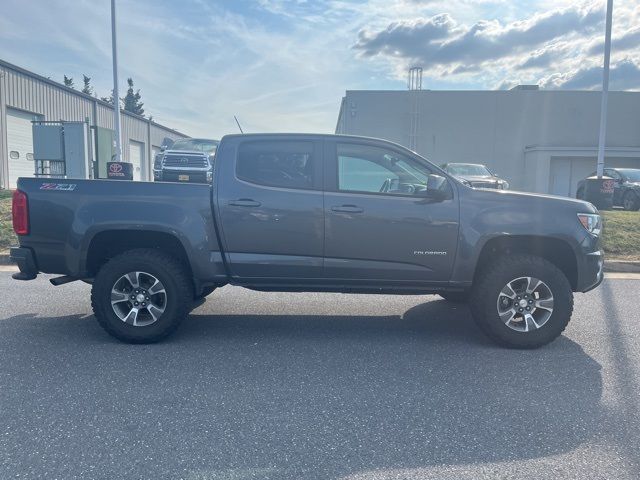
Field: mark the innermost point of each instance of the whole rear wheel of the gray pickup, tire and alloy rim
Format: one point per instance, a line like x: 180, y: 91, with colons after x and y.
x: 141, y: 296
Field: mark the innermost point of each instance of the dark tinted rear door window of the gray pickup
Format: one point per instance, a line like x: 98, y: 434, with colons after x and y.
x: 276, y: 164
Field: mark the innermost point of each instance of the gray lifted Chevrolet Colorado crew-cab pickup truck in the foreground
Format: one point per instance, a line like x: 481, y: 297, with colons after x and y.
x: 302, y: 213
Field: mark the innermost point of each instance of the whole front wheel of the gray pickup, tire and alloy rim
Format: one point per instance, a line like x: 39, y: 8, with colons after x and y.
x: 522, y: 301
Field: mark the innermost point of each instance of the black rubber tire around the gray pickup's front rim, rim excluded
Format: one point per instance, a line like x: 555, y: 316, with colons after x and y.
x: 486, y: 292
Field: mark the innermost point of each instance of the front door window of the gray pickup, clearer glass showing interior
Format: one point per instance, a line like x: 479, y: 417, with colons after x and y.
x: 364, y: 168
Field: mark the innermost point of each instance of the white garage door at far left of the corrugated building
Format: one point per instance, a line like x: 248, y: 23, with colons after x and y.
x: 19, y: 145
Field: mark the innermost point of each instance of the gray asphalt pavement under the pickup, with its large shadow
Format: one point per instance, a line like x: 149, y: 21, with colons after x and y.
x: 316, y: 386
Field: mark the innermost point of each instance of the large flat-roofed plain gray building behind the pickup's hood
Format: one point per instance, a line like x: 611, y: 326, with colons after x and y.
x: 539, y: 140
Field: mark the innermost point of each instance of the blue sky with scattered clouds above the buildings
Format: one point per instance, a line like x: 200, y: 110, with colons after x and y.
x: 284, y: 65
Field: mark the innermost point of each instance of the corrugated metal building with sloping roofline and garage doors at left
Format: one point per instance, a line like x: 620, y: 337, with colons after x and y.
x: 25, y: 96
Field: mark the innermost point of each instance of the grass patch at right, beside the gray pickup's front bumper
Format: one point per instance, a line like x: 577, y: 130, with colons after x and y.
x: 621, y: 238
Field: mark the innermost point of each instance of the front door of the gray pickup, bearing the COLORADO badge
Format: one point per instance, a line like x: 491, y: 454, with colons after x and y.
x: 380, y: 227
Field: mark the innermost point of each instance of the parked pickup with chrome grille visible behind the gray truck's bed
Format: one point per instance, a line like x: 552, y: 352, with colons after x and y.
x: 187, y: 160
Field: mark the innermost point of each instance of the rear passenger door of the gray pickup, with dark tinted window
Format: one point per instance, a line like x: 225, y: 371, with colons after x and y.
x: 270, y: 205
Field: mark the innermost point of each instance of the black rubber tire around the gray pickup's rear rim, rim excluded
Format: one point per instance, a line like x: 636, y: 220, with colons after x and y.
x: 165, y: 268
